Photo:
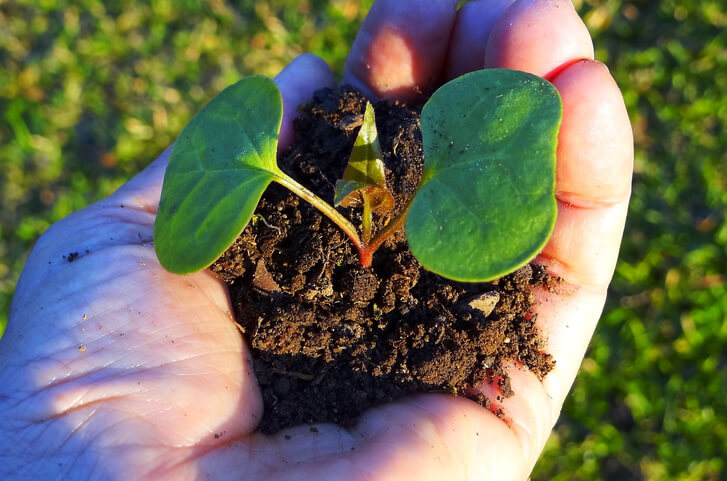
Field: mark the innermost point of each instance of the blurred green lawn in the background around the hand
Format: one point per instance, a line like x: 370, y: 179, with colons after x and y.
x: 91, y: 91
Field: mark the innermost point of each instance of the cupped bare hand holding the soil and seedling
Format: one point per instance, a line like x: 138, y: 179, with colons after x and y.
x: 115, y: 369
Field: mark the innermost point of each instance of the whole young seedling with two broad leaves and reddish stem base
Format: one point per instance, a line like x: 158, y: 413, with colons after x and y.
x: 485, y: 205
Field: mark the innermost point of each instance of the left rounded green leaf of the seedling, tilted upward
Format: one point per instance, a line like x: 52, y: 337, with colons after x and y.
x: 220, y: 165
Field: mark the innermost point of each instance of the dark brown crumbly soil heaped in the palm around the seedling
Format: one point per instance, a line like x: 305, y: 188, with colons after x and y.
x: 331, y: 339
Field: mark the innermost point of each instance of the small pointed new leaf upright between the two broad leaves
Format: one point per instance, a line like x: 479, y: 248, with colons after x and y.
x: 364, y: 179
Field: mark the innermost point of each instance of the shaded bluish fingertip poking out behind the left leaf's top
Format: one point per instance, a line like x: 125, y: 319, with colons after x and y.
x: 297, y: 83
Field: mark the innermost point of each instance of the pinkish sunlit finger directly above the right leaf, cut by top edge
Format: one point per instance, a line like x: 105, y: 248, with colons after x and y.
x: 539, y: 37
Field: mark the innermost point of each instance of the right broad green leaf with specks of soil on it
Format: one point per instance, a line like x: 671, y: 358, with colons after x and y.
x: 486, y: 205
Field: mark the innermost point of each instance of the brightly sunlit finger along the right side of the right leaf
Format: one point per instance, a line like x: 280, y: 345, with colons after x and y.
x: 595, y: 161
